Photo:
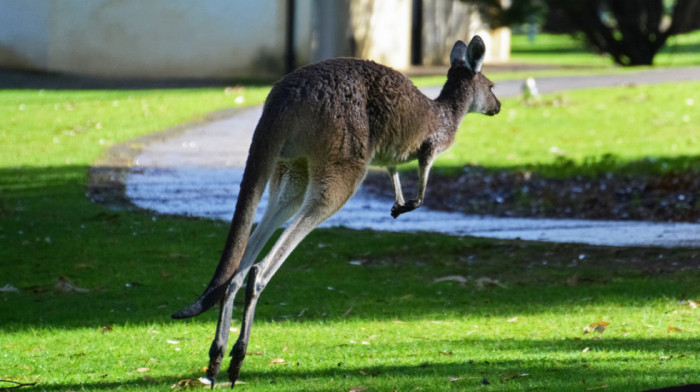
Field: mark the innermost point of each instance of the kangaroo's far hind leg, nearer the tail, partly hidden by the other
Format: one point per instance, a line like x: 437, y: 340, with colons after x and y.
x: 287, y: 187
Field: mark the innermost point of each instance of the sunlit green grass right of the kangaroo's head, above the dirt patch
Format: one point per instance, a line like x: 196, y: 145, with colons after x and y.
x: 654, y: 128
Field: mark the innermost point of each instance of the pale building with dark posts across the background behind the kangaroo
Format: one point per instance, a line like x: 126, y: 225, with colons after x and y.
x: 231, y: 38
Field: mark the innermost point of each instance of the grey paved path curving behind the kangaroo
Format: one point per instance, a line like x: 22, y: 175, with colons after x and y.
x: 198, y: 173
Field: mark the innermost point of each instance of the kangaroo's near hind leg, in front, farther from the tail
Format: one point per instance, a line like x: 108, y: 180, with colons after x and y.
x: 329, y: 189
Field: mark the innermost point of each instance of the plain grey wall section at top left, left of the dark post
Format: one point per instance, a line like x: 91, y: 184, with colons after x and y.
x: 154, y: 39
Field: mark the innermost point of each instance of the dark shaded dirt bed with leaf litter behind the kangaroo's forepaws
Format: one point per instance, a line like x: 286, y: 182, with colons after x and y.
x: 673, y: 197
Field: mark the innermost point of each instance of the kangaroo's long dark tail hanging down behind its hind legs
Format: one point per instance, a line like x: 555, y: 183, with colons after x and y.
x: 259, y: 167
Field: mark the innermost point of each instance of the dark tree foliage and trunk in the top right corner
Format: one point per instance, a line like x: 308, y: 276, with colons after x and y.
x: 631, y: 31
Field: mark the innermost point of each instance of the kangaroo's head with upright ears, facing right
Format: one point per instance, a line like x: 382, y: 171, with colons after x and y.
x: 468, y: 59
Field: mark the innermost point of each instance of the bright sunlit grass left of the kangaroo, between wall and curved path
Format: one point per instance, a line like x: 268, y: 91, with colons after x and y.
x: 48, y: 128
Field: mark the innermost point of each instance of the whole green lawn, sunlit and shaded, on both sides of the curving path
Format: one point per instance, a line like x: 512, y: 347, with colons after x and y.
x: 96, y: 286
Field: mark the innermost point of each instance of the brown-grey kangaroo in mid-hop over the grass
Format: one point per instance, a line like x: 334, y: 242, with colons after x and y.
x: 322, y: 126
